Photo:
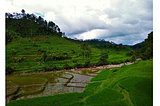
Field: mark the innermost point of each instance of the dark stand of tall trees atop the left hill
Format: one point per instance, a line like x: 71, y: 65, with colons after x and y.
x: 25, y: 24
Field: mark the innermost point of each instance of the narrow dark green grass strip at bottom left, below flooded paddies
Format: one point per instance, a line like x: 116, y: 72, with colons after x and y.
x: 57, y: 100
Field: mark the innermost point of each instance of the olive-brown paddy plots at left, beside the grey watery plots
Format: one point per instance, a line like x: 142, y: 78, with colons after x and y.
x: 28, y: 83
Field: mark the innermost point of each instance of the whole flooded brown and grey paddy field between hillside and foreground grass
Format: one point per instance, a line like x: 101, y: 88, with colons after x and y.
x: 29, y: 85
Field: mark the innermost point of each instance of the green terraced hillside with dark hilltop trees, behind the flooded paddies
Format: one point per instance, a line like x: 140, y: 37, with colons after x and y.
x: 28, y: 48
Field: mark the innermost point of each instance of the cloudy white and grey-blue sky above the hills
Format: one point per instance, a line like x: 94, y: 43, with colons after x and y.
x: 120, y: 21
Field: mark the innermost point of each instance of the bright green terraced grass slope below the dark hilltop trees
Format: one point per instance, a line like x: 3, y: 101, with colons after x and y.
x: 30, y: 50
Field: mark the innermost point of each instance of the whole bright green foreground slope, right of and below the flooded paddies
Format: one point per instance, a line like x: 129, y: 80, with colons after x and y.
x: 126, y: 86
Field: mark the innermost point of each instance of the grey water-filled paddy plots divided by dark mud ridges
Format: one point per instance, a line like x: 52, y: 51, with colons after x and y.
x: 67, y: 83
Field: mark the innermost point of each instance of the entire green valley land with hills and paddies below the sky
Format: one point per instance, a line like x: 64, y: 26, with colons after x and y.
x: 44, y: 67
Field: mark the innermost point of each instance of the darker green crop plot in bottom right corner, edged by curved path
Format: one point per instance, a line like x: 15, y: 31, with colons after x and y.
x: 141, y: 90
